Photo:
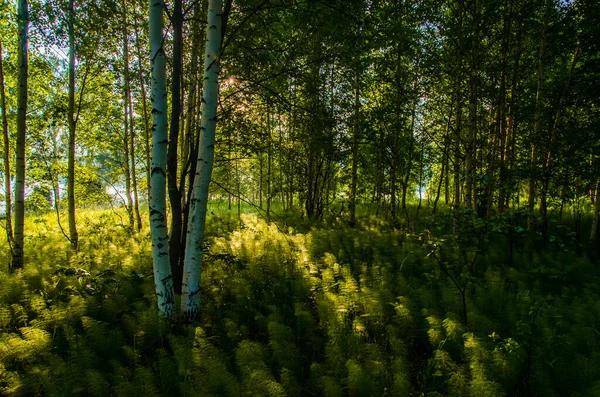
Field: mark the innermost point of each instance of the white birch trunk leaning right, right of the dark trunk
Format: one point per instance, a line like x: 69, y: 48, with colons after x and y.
x: 190, y: 301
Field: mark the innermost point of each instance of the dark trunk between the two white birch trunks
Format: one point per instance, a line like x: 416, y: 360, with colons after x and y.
x: 175, y: 247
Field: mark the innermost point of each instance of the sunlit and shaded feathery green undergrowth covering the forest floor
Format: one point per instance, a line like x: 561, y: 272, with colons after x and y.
x: 305, y: 311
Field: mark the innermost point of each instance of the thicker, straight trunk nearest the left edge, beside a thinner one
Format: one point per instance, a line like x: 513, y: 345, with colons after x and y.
x: 23, y: 20
